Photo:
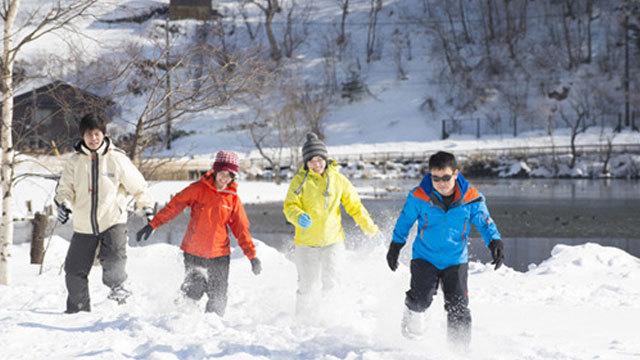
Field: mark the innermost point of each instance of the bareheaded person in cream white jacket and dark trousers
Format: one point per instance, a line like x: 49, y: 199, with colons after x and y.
x: 95, y: 185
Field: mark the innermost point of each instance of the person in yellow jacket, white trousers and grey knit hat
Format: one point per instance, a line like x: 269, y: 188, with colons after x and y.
x: 312, y: 205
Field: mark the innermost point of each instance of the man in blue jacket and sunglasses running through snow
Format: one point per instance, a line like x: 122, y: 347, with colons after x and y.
x: 445, y: 206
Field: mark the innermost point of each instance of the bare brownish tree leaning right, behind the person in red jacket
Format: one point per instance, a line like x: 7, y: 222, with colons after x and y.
x: 220, y: 77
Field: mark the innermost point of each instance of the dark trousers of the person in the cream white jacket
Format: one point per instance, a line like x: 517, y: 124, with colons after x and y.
x: 79, y: 260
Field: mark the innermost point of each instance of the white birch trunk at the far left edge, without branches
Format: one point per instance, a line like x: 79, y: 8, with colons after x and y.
x: 6, y: 241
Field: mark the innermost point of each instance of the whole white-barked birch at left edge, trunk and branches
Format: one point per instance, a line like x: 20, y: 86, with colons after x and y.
x: 46, y: 18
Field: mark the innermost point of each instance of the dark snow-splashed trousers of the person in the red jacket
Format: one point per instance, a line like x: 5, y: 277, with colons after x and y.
x: 210, y: 276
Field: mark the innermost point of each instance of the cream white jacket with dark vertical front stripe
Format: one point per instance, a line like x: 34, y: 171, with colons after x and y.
x: 95, y: 186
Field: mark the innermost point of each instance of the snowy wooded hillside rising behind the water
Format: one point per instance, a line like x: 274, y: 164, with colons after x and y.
x: 411, y: 86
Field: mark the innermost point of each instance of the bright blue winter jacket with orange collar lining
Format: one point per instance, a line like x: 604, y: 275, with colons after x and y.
x: 442, y: 234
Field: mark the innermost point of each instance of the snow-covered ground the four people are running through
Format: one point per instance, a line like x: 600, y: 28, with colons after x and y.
x: 582, y: 303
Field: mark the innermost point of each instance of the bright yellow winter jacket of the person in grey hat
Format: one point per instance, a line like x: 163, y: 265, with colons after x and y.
x: 326, y: 227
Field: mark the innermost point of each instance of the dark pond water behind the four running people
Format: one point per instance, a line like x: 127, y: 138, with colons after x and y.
x: 532, y: 215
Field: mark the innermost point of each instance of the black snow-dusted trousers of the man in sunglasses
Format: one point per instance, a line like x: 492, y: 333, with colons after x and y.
x: 424, y: 284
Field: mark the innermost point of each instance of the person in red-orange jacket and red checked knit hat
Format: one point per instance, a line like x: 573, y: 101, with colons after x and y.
x: 214, y: 204
